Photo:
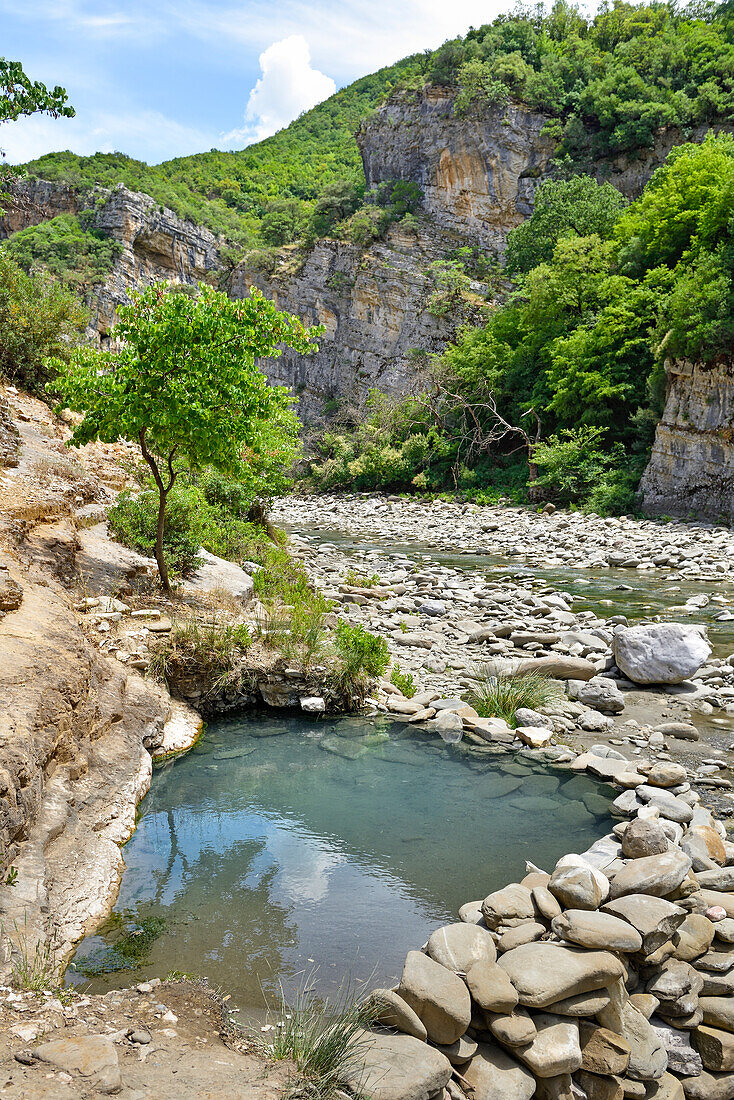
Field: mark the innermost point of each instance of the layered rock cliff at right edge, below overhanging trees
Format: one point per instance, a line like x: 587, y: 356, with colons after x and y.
x: 692, y: 469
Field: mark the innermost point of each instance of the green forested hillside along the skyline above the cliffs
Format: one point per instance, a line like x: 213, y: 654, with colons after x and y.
x: 608, y: 84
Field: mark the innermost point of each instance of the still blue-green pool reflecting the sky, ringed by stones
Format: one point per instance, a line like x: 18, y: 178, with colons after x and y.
x: 282, y: 846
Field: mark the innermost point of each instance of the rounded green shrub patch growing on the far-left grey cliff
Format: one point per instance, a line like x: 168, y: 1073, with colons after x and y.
x: 62, y: 247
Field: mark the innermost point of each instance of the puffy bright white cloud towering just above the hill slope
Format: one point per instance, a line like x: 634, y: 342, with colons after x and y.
x: 288, y: 87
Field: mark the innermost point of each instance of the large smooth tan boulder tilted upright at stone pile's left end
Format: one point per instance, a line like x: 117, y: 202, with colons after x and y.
x: 437, y: 996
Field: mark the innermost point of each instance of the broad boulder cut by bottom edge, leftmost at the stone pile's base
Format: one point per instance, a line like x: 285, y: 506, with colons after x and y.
x: 399, y: 1068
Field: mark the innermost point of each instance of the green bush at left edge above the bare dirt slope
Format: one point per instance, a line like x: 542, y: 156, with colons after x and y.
x: 39, y: 318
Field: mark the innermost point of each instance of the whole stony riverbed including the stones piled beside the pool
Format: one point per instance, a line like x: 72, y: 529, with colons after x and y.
x: 612, y: 974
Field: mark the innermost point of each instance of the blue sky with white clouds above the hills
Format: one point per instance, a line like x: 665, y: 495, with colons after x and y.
x: 172, y: 78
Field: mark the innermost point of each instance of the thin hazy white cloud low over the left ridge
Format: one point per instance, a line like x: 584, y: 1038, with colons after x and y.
x: 151, y: 135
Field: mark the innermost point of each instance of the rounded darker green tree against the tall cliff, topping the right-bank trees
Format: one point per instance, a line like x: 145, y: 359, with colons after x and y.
x: 578, y: 207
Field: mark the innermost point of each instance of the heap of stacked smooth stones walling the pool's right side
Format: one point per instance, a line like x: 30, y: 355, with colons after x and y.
x: 611, y: 977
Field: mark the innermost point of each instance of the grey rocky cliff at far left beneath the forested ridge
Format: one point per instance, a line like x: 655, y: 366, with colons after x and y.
x: 157, y: 245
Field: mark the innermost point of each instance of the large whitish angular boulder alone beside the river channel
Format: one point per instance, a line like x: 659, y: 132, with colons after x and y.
x: 660, y: 653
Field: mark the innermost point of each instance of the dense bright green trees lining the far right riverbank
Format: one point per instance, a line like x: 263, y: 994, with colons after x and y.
x: 602, y: 295
